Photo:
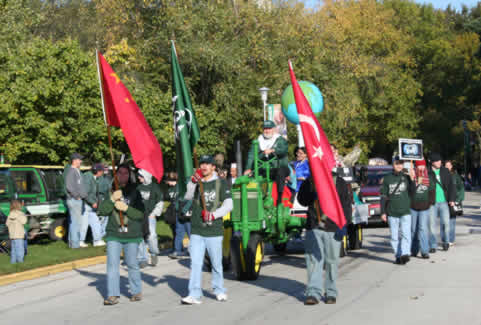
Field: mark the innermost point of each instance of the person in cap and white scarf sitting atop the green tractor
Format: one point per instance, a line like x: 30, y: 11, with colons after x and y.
x: 271, y: 145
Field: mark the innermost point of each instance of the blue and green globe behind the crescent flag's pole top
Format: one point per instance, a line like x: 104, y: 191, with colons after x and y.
x: 313, y: 95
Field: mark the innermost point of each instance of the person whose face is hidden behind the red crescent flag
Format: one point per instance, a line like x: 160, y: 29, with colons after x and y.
x: 323, y: 242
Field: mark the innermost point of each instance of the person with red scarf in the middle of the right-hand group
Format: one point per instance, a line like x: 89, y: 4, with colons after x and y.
x: 421, y: 200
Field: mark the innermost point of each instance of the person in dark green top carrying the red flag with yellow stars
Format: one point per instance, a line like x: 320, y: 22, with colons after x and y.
x: 127, y: 201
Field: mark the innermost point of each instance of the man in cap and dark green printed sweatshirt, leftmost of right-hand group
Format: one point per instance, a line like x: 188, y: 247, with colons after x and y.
x: 395, y: 209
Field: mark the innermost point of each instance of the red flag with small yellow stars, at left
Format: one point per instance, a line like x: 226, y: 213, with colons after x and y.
x: 120, y: 110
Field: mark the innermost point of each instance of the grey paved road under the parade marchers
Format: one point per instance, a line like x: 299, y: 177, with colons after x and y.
x: 445, y: 289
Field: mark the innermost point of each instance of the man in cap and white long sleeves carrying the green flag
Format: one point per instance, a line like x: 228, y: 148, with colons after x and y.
x: 207, y: 228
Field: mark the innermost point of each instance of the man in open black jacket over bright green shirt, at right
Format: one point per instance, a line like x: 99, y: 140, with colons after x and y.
x: 445, y: 197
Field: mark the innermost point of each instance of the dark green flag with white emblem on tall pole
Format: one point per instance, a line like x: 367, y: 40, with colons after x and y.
x: 185, y: 124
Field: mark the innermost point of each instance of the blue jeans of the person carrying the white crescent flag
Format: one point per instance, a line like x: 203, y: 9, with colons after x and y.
x: 322, y: 249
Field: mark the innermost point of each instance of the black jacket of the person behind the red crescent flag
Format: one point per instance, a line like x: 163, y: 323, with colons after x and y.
x: 307, y: 196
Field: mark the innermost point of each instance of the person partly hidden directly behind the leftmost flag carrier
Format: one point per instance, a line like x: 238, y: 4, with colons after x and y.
x: 153, y: 200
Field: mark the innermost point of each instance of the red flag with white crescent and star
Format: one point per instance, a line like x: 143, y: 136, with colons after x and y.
x: 321, y: 158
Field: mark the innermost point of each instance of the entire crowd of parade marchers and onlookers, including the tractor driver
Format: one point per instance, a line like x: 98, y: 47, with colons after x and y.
x: 123, y: 214
